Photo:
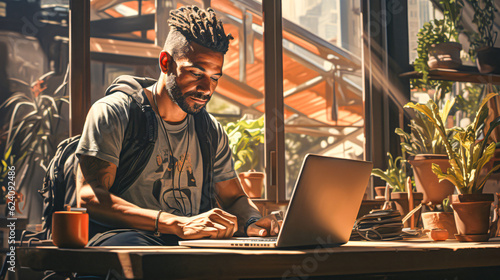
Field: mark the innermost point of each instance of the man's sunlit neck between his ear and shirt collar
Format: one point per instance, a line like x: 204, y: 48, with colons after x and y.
x: 168, y: 110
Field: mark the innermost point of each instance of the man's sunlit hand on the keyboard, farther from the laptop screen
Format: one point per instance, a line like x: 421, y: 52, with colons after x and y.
x: 215, y: 223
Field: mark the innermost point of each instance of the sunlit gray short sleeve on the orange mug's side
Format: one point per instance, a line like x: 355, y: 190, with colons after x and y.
x: 104, y: 128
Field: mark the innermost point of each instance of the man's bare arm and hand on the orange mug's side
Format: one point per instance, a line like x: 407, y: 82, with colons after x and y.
x: 95, y: 177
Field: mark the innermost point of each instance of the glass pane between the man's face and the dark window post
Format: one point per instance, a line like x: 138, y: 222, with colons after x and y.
x: 242, y: 86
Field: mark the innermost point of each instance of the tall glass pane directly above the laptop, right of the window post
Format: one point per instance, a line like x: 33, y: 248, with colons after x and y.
x: 322, y: 81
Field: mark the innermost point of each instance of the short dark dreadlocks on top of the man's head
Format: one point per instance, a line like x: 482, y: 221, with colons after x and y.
x: 200, y: 26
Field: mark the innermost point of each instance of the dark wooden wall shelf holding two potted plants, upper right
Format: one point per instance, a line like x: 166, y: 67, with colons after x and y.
x: 463, y: 74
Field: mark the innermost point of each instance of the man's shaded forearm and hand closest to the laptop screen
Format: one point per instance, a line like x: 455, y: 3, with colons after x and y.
x: 233, y: 199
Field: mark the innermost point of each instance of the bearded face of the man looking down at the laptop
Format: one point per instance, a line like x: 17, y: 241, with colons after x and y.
x: 194, y: 78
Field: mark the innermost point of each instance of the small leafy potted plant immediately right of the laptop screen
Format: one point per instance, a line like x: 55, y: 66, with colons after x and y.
x: 396, y: 177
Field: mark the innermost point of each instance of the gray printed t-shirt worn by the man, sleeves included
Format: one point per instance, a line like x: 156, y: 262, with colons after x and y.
x: 170, y: 181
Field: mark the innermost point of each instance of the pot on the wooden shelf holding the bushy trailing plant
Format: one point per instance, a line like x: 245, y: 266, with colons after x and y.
x: 445, y: 55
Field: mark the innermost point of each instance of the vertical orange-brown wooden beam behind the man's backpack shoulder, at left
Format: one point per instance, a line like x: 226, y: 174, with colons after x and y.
x: 79, y: 60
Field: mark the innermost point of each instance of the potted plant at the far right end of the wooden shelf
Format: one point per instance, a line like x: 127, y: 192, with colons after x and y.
x: 482, y: 42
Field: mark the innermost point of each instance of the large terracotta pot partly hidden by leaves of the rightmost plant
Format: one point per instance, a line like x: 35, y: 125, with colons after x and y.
x: 427, y: 182
